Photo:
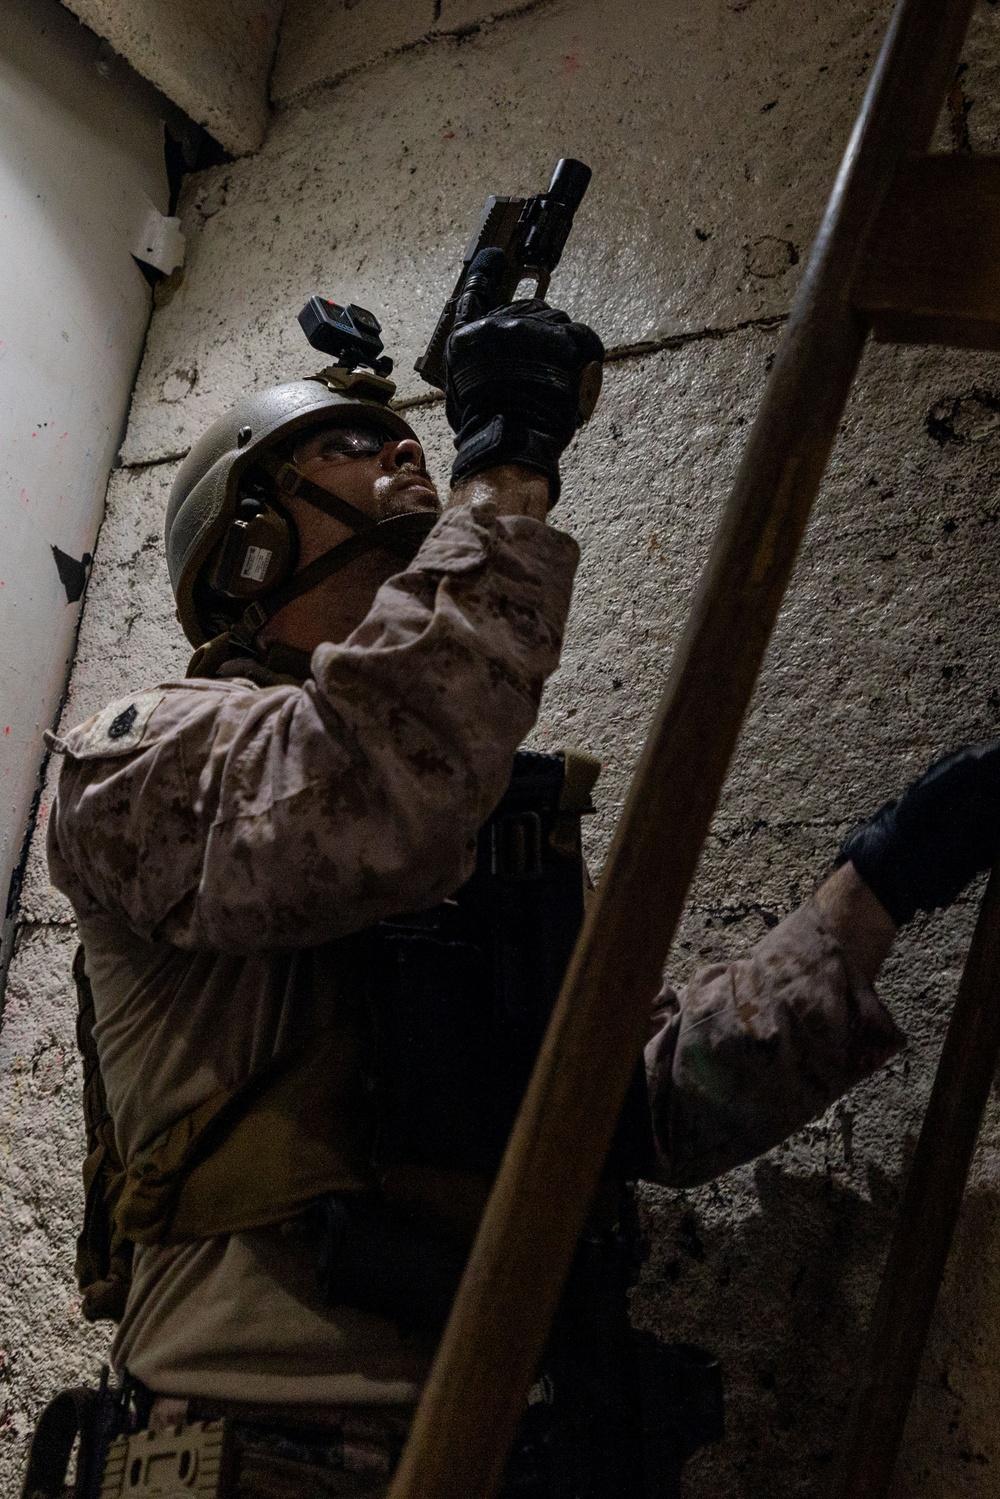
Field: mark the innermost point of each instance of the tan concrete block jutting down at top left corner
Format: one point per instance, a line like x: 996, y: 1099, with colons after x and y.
x: 212, y: 58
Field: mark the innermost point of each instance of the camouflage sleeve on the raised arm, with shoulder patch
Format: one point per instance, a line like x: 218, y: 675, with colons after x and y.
x: 239, y: 819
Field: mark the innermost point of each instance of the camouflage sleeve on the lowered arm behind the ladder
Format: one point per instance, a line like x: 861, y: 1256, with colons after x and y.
x: 755, y: 1050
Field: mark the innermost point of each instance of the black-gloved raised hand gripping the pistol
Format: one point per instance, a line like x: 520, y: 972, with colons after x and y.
x: 519, y: 383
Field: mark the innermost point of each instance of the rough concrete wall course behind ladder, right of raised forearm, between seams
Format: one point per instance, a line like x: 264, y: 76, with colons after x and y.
x: 893, y: 597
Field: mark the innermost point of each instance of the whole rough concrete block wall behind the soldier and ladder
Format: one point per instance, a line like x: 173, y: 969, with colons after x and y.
x: 714, y: 134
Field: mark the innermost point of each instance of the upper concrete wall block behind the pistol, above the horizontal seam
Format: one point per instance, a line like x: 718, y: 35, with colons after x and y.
x: 368, y: 193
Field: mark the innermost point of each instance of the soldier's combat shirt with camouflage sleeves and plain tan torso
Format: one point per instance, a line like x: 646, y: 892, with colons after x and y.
x: 214, y: 839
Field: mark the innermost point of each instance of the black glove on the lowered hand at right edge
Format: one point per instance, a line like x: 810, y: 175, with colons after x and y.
x: 918, y: 854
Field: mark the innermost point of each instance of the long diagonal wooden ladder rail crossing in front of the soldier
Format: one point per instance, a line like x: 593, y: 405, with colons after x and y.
x: 499, y: 1326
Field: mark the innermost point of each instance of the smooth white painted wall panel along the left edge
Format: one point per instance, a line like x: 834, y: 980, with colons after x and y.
x: 82, y: 151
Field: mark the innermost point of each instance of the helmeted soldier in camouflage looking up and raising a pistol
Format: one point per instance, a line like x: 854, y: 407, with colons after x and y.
x: 239, y: 849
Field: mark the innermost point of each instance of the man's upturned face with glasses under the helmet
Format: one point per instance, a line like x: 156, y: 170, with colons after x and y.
x: 382, y: 476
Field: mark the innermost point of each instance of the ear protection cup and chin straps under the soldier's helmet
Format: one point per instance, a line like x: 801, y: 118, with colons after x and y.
x: 260, y: 551
